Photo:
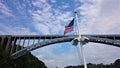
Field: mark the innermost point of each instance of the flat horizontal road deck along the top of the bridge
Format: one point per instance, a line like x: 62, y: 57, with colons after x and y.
x: 112, y: 36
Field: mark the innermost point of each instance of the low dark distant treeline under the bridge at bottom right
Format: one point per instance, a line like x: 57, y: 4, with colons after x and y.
x: 116, y: 64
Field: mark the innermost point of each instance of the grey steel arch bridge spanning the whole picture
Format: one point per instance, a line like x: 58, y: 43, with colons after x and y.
x: 18, y: 45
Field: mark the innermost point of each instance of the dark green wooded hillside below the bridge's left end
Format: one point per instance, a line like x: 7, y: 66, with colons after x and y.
x: 26, y: 61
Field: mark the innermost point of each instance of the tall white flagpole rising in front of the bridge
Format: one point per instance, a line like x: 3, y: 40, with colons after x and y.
x: 80, y: 45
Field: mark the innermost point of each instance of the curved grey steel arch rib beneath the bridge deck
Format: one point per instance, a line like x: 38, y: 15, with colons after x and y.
x: 60, y: 40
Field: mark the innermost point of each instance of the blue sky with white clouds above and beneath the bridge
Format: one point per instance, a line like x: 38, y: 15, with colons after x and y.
x: 49, y: 17
